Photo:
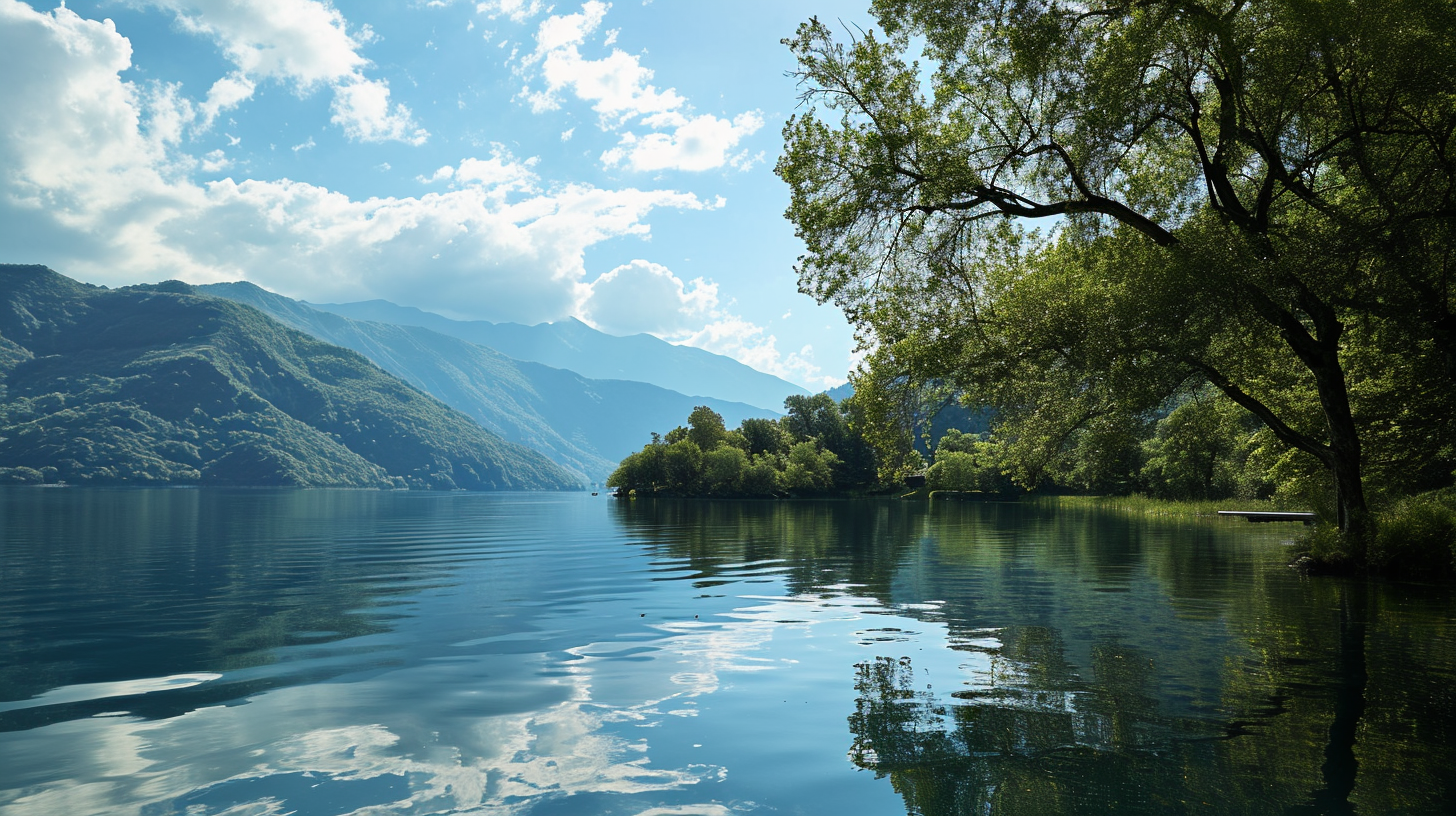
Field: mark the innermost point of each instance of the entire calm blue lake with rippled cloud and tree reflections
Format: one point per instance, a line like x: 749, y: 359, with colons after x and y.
x: 321, y: 654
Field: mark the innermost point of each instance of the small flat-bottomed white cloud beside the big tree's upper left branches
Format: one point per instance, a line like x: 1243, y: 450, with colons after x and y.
x: 700, y: 144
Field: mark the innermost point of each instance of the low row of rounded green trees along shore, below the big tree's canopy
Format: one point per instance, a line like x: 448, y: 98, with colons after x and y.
x: 1202, y: 448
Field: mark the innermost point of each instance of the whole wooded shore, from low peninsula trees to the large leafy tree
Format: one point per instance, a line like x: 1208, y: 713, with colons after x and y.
x: 1189, y: 250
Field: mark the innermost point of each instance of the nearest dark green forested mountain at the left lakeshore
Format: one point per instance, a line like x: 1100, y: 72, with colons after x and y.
x: 165, y: 385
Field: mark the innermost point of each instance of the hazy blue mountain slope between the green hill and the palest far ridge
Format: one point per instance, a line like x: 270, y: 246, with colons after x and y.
x: 583, y: 425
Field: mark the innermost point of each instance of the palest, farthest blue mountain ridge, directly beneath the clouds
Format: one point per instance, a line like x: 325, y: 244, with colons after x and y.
x: 576, y: 346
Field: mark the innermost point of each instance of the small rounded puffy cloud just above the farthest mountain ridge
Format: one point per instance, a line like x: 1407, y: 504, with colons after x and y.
x: 647, y: 298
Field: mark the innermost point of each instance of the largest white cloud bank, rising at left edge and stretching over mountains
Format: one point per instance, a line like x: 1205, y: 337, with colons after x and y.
x: 92, y: 184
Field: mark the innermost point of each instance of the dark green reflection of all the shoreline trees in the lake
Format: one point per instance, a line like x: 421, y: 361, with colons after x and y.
x: 1135, y: 665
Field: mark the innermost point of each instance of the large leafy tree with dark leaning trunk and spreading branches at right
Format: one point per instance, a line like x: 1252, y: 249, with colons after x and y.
x: 1256, y: 195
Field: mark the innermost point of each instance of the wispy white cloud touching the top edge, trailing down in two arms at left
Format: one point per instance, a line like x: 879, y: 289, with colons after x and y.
x: 304, y: 43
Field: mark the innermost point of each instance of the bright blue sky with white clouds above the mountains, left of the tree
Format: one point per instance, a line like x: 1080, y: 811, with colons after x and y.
x: 500, y: 160
